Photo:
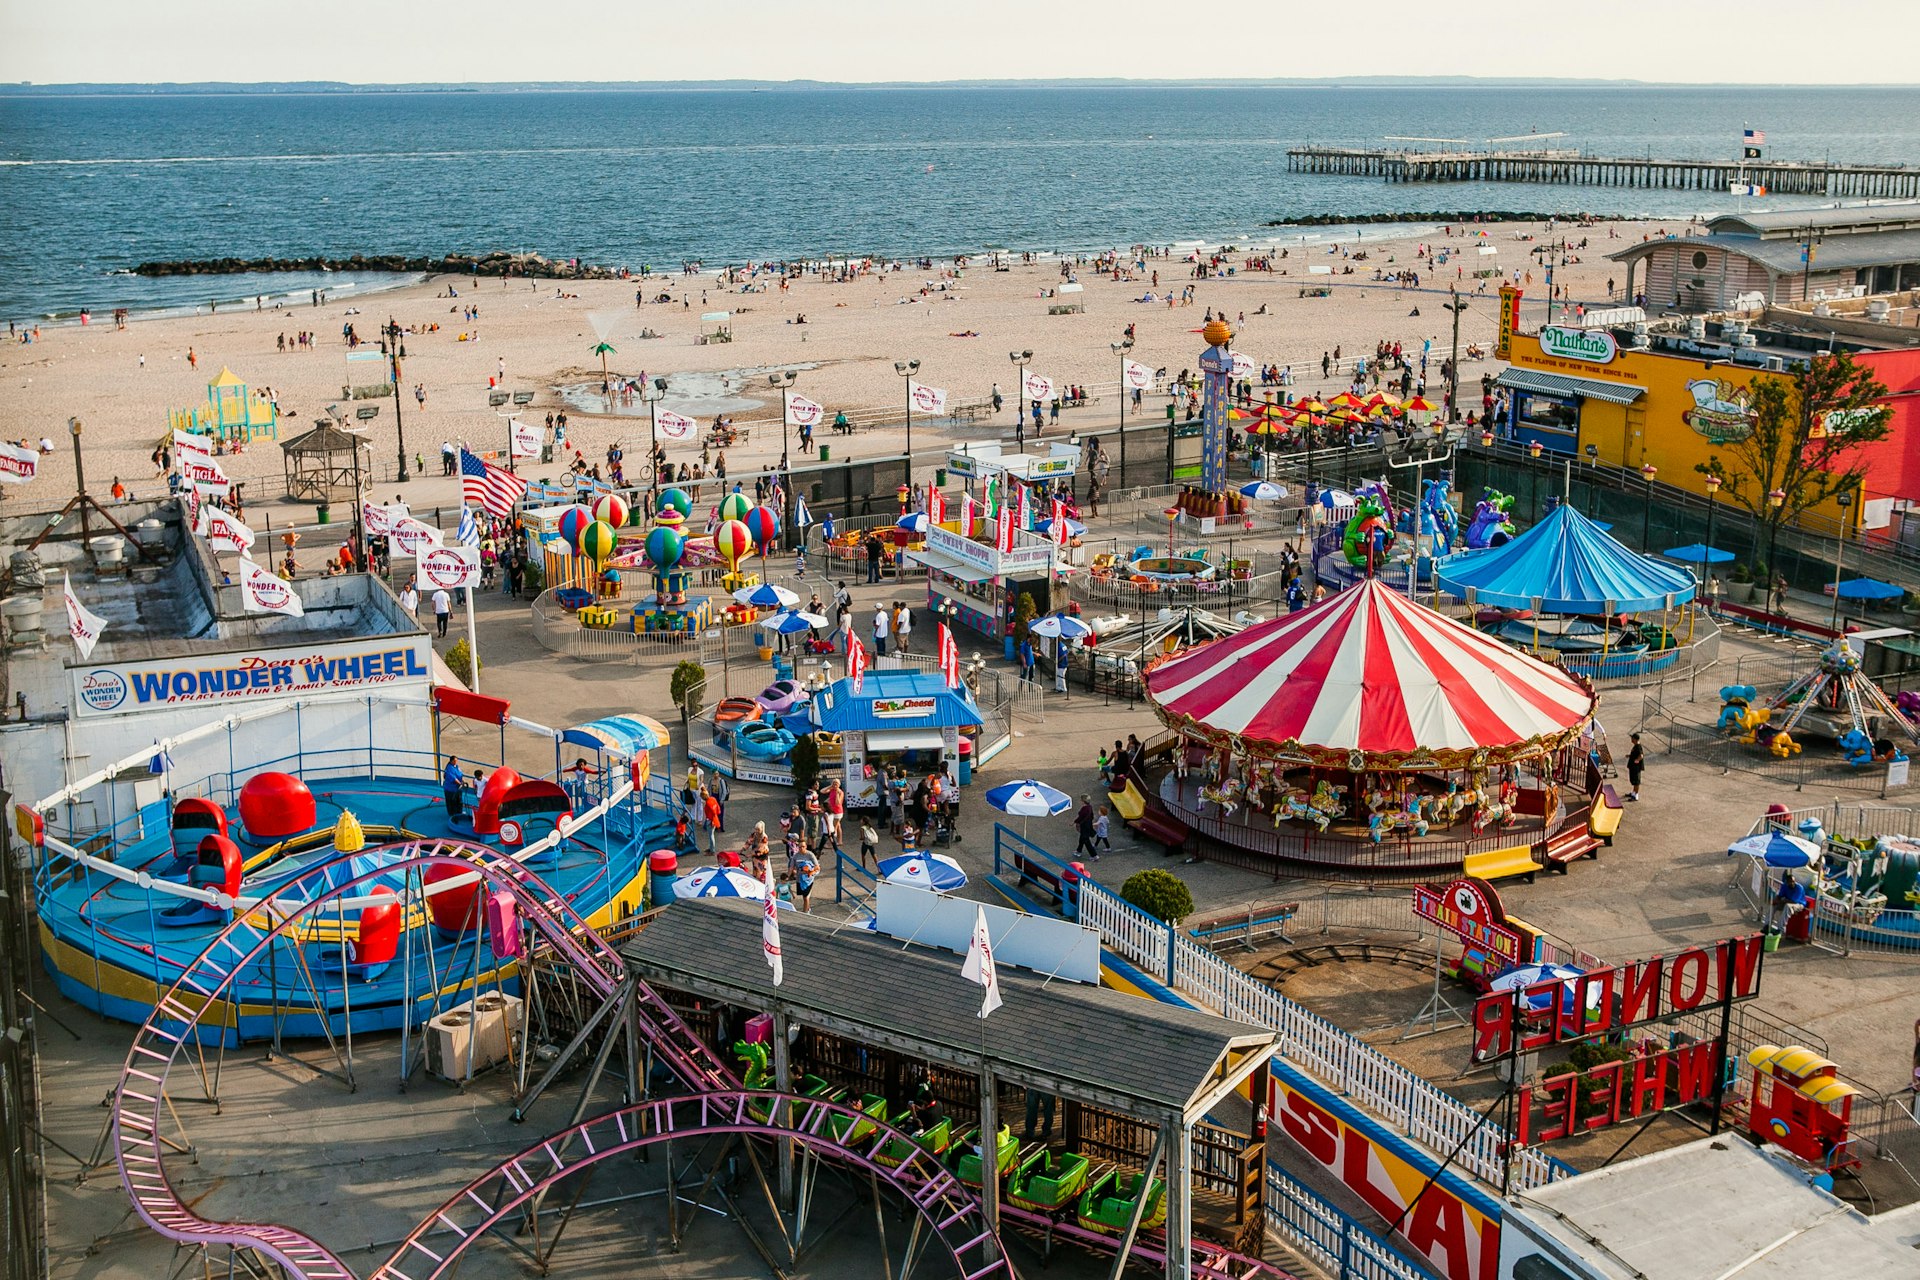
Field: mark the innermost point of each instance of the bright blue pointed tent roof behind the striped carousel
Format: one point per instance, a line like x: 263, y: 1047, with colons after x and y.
x: 1566, y: 565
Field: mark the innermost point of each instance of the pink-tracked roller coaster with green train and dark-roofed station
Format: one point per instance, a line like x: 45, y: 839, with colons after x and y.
x: 813, y: 1141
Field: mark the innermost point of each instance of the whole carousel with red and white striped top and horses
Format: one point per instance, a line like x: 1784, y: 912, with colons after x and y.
x: 1332, y: 736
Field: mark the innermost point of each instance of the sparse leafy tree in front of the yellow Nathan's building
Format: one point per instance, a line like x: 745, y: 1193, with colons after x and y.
x: 1806, y: 440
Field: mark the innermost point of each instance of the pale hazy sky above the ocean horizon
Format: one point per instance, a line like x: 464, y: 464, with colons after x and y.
x: 863, y: 41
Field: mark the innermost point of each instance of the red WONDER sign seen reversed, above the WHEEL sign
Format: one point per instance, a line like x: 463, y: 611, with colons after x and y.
x: 1648, y: 991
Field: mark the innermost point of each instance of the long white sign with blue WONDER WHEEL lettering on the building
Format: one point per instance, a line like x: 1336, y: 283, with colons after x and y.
x: 162, y: 684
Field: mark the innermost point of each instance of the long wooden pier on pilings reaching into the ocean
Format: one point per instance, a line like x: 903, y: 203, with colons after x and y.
x: 1577, y: 170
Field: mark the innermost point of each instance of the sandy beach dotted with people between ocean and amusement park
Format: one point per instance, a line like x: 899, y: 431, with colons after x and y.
x: 959, y: 325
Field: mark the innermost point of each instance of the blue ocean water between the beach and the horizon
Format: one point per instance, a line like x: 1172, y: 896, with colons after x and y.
x: 89, y: 187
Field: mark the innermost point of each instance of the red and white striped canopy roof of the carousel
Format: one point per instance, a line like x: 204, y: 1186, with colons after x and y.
x: 1370, y: 680
